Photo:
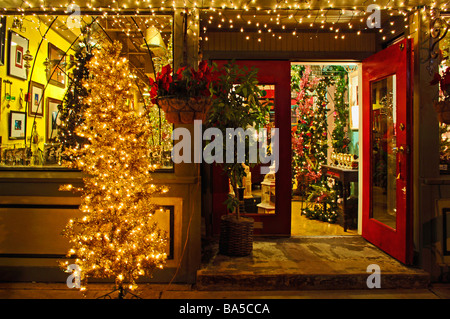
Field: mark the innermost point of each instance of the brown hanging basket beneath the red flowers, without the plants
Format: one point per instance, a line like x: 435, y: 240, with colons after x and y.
x: 184, y: 111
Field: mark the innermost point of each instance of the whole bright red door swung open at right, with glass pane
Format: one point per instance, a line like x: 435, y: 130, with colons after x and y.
x: 386, y: 162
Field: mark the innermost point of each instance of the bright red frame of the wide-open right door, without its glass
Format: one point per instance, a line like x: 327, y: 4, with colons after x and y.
x: 396, y: 242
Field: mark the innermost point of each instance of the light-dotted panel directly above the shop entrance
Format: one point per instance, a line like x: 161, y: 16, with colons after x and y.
x: 279, y: 24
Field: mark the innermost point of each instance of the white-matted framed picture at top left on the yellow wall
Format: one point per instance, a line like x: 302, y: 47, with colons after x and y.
x: 17, y: 47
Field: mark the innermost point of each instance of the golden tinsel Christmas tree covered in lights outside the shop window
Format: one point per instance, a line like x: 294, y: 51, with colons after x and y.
x: 117, y: 236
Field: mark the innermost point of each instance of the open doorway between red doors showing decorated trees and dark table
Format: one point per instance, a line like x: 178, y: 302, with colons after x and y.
x: 325, y: 102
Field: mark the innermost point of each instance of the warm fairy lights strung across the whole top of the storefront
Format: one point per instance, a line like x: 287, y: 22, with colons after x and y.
x: 254, y: 19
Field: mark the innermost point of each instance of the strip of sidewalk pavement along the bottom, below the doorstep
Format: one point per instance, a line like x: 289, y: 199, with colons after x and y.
x: 177, y: 291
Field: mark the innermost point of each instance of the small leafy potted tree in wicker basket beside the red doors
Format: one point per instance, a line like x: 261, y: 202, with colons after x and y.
x: 237, y: 103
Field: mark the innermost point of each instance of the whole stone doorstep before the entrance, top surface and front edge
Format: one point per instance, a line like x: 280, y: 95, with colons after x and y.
x: 326, y: 264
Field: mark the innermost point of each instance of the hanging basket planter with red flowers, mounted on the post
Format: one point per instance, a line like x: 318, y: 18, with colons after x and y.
x: 184, y: 95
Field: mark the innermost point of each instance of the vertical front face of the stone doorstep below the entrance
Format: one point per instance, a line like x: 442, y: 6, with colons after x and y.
x: 227, y: 281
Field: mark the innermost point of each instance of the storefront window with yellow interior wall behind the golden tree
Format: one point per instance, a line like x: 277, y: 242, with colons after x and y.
x: 44, y: 66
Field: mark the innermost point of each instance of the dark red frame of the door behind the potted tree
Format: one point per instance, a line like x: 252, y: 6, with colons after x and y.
x: 277, y: 73
